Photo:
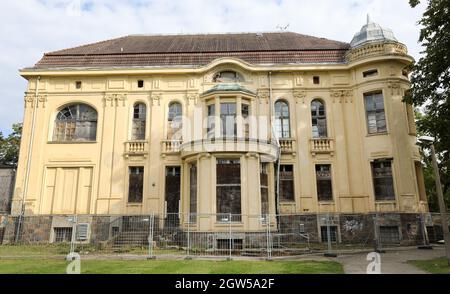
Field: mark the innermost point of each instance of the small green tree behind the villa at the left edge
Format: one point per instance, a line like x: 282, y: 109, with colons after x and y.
x: 9, y: 146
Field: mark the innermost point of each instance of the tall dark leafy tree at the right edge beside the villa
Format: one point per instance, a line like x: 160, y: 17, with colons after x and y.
x: 430, y: 81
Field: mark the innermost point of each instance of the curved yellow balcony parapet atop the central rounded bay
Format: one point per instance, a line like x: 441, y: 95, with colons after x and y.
x: 267, y: 150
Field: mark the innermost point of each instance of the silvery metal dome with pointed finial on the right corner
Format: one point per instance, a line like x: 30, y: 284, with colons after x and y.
x: 372, y: 32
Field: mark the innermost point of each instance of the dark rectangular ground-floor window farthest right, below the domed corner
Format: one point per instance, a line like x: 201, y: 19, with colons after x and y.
x: 382, y: 180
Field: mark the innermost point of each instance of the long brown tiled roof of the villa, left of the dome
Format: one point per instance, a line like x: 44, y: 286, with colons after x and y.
x: 197, y: 50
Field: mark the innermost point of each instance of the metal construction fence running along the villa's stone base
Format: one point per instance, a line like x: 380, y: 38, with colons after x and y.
x: 216, y: 235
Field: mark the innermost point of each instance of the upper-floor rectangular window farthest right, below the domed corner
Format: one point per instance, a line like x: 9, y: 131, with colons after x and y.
x: 375, y: 115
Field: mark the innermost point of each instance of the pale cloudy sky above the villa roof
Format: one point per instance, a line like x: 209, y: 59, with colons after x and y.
x: 29, y: 28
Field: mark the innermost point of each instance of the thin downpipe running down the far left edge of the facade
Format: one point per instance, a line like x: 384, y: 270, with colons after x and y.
x: 30, y: 152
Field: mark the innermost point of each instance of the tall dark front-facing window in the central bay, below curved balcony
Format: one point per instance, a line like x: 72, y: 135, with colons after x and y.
x: 228, y: 190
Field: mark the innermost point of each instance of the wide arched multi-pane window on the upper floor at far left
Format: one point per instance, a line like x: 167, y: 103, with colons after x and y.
x: 76, y: 122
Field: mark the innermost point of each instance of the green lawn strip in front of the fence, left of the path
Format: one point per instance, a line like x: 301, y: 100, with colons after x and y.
x: 55, y: 266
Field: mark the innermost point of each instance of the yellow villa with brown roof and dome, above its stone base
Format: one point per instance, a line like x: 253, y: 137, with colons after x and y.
x: 231, y: 124
